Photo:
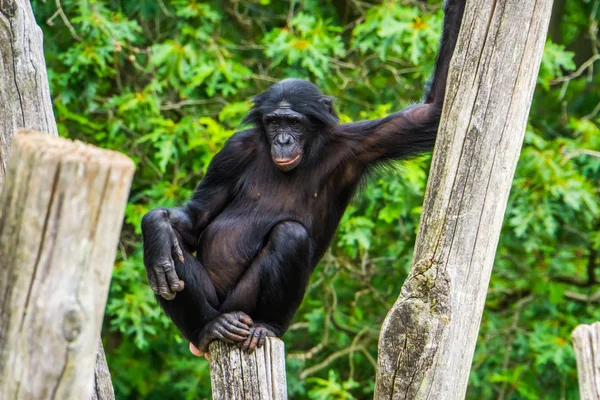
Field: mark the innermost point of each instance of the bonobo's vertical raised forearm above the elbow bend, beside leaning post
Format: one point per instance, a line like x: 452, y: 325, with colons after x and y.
x: 453, y: 13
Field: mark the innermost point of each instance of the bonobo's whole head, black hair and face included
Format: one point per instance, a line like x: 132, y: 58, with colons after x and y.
x: 291, y: 113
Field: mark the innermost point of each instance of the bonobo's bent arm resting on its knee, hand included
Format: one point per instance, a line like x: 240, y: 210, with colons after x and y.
x: 168, y: 233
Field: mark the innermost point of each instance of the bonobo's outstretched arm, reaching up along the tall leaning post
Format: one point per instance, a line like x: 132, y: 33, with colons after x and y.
x: 413, y: 130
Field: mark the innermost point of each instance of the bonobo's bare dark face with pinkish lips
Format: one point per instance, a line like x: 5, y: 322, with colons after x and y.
x: 286, y: 131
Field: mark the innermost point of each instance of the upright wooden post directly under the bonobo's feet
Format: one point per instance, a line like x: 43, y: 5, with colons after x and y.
x: 236, y: 375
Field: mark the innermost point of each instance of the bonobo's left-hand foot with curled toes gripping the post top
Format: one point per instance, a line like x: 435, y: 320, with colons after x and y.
x: 231, y: 328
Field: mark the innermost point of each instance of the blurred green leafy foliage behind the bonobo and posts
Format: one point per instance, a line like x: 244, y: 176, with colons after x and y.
x: 167, y: 82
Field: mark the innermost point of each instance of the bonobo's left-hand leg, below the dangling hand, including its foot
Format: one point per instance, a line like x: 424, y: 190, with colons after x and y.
x: 195, y: 309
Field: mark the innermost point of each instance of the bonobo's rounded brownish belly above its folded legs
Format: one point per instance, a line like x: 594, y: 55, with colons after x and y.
x: 230, y: 243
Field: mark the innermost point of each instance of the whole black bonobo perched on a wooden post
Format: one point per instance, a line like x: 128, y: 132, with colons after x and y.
x: 233, y: 263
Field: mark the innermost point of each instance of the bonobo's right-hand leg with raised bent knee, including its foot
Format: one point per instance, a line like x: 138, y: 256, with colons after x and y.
x: 274, y: 285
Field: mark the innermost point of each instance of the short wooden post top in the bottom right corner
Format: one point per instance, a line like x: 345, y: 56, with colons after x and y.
x: 586, y: 341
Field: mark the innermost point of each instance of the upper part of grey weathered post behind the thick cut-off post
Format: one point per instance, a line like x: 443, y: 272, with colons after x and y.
x: 24, y: 92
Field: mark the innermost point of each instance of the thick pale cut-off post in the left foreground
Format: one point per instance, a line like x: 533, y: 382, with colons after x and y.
x: 61, y: 213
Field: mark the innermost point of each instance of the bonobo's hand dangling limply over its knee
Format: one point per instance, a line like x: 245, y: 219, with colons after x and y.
x: 161, y: 248
